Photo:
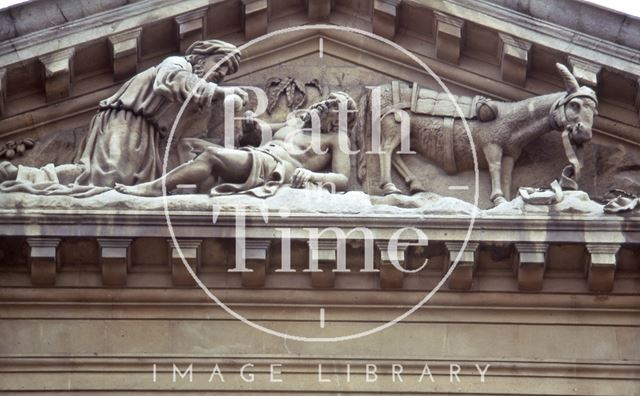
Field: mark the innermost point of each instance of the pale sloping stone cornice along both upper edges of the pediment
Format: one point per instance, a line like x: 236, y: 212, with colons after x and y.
x: 482, y: 12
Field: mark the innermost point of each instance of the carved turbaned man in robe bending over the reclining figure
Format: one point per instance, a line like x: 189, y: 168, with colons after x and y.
x: 124, y: 140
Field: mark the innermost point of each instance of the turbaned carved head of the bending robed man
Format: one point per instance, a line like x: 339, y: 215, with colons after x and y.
x: 204, y: 55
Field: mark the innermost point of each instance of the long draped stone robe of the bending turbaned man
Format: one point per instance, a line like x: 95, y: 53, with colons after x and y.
x: 126, y: 138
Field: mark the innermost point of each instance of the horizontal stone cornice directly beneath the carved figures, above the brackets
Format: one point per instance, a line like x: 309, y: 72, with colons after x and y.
x: 114, y: 223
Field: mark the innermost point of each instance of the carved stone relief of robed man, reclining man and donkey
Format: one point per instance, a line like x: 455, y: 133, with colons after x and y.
x: 502, y: 133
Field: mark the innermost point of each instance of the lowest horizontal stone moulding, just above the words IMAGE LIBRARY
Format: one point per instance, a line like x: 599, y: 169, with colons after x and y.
x: 590, y: 369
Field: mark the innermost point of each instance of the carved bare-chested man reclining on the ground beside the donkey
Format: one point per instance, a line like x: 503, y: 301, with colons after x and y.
x: 296, y: 155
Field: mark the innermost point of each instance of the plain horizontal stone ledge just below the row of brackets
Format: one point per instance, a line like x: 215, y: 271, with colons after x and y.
x: 377, y: 299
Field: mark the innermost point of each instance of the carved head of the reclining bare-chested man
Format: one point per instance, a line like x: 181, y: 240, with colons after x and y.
x: 328, y: 111
